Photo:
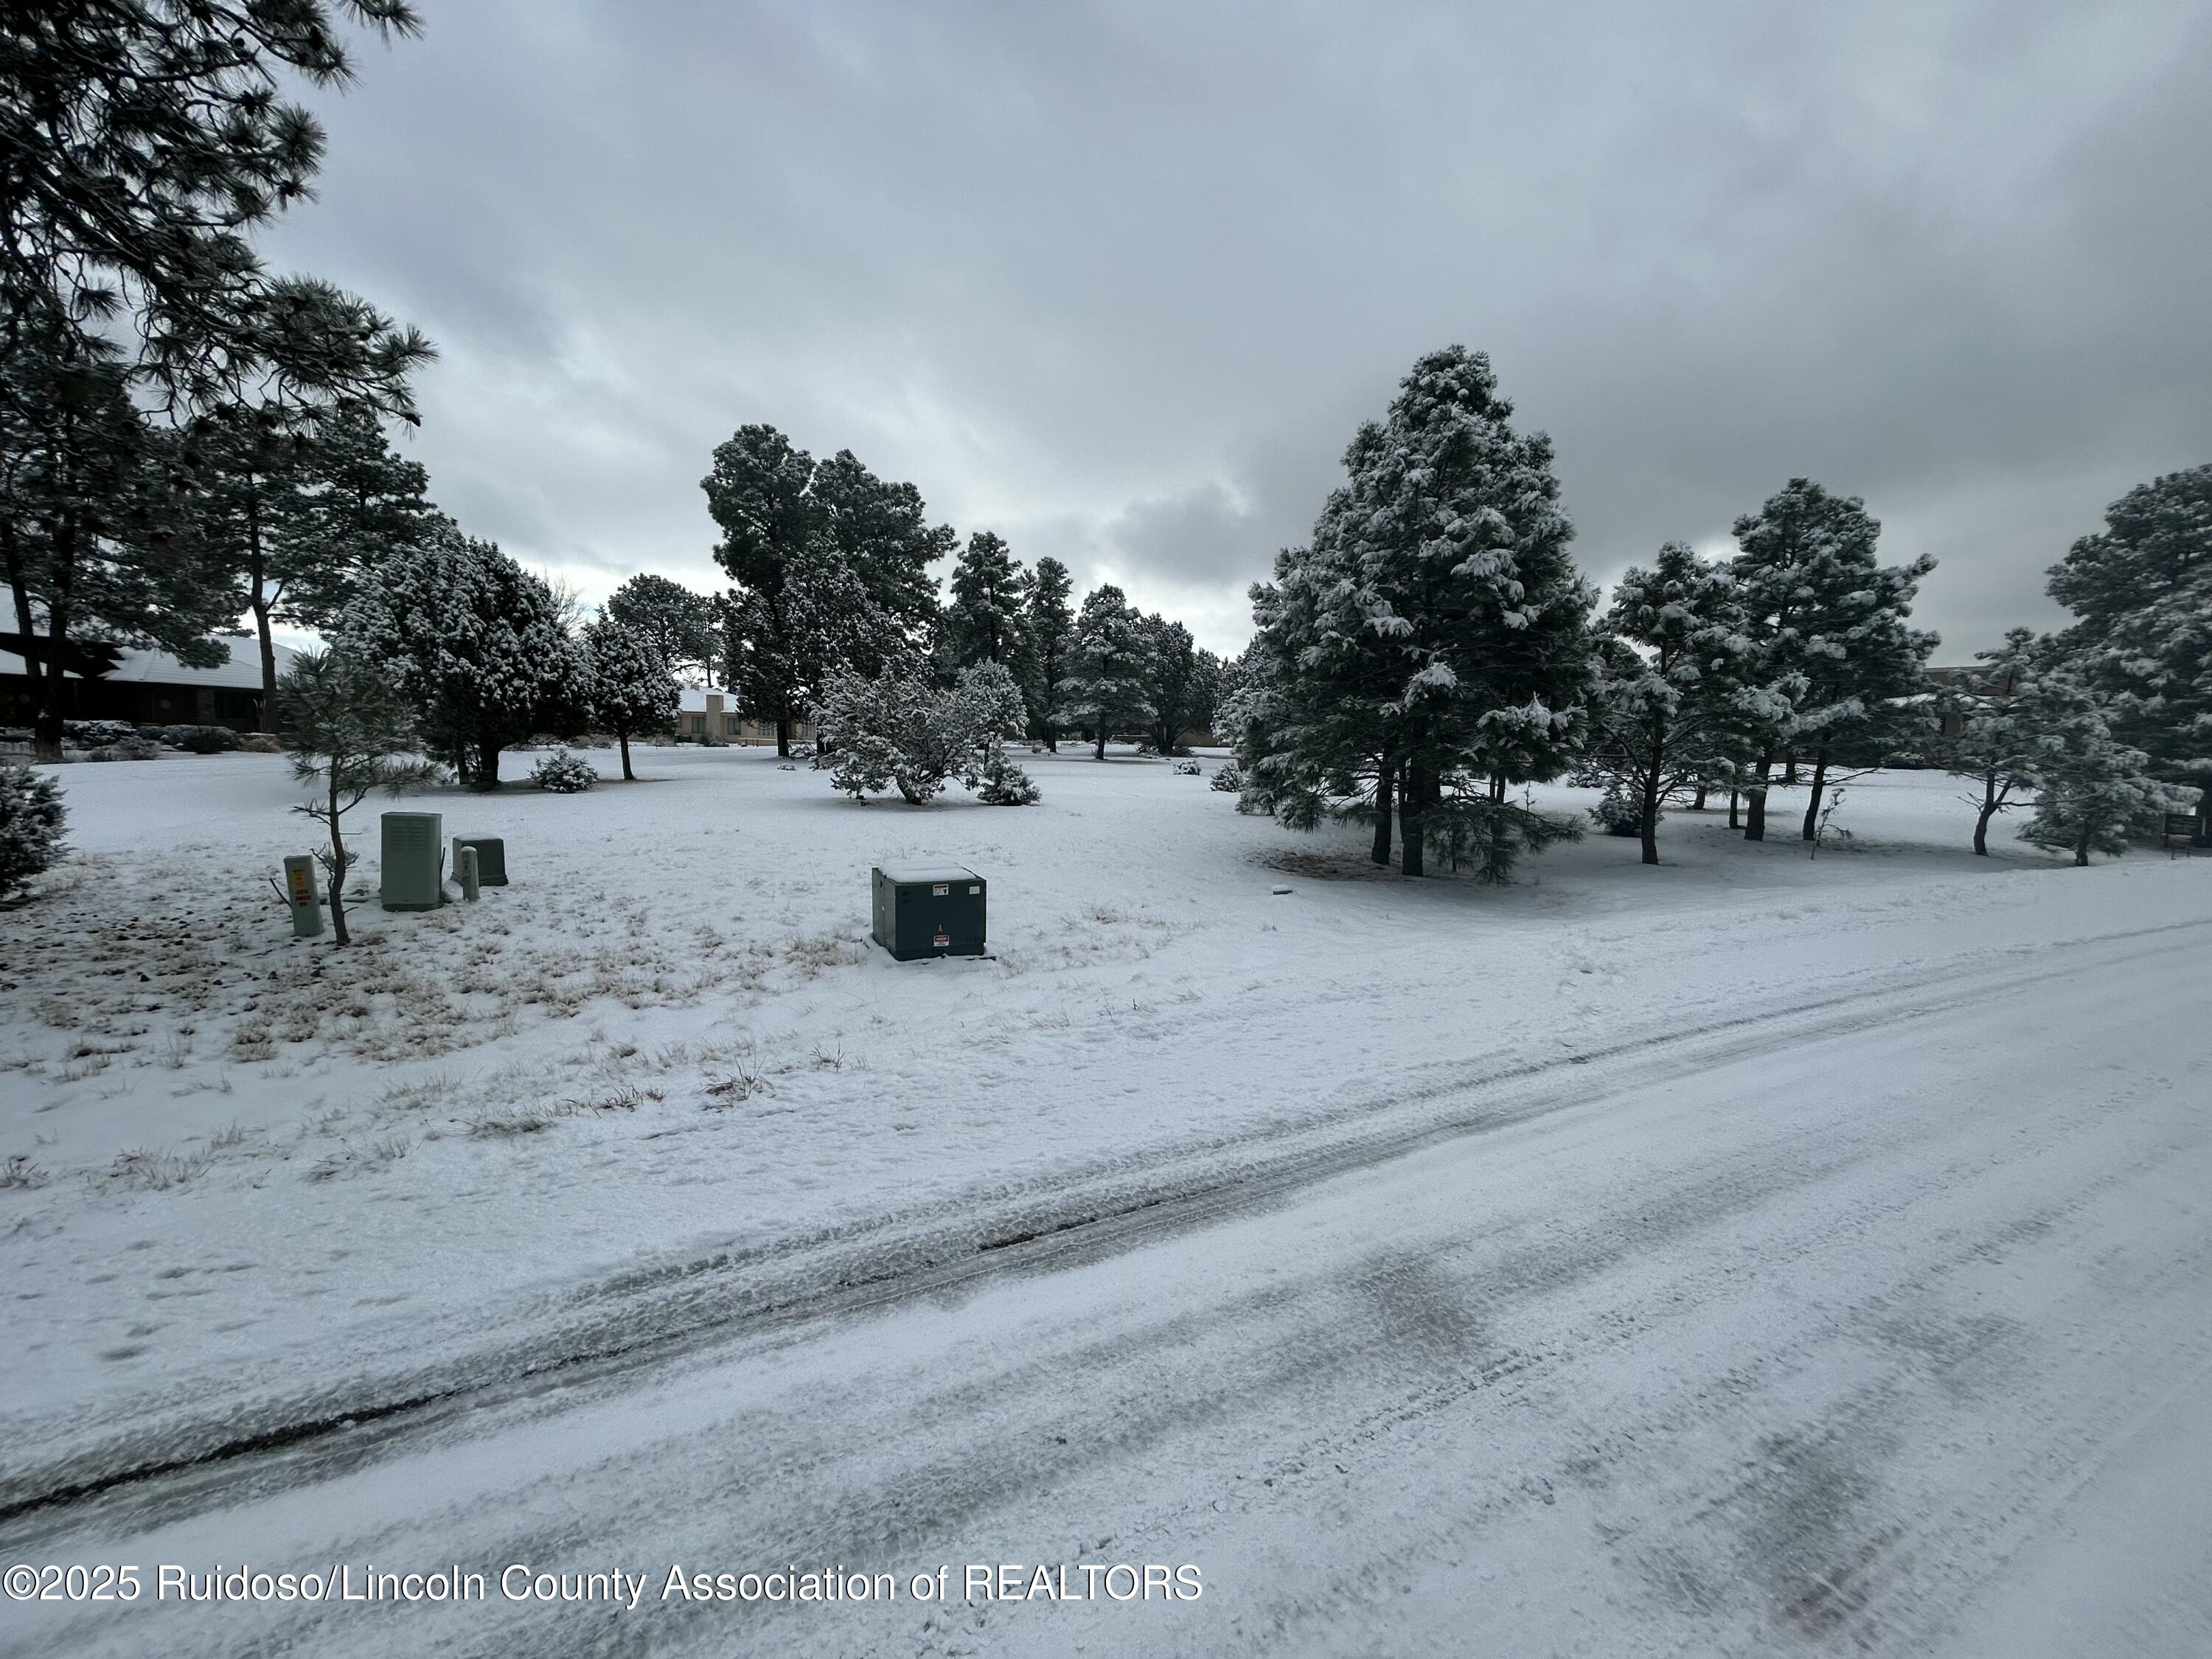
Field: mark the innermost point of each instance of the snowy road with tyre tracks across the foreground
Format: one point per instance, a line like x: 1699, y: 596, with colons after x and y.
x: 1884, y: 1324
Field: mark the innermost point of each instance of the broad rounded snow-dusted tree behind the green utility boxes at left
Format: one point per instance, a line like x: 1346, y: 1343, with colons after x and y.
x: 477, y: 645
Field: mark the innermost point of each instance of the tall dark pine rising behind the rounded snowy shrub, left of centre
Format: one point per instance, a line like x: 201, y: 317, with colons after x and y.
x: 804, y: 536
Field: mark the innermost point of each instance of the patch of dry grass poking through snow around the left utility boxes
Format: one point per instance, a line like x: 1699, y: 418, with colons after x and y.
x: 163, y: 961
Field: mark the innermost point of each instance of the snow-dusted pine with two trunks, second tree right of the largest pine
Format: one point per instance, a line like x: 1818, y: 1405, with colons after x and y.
x: 1824, y: 607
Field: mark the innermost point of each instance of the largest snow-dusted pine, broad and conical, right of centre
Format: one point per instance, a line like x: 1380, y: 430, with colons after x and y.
x: 1434, y: 632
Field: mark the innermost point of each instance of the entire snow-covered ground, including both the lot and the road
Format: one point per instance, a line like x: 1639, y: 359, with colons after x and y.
x: 1749, y: 1251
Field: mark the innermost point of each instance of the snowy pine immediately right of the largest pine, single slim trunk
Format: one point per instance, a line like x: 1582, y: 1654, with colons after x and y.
x: 1667, y: 674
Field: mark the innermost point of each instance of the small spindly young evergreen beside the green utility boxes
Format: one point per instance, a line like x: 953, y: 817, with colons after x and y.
x: 348, y: 731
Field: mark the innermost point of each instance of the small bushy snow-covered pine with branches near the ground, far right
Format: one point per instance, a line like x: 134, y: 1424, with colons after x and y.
x: 2094, y: 793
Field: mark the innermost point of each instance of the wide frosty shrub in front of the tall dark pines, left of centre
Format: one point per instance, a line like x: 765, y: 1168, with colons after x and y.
x: 899, y: 731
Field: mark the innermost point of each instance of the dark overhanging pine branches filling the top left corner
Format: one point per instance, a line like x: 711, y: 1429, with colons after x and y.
x: 145, y: 143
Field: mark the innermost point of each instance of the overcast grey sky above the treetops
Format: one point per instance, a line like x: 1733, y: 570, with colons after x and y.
x: 1120, y: 280
